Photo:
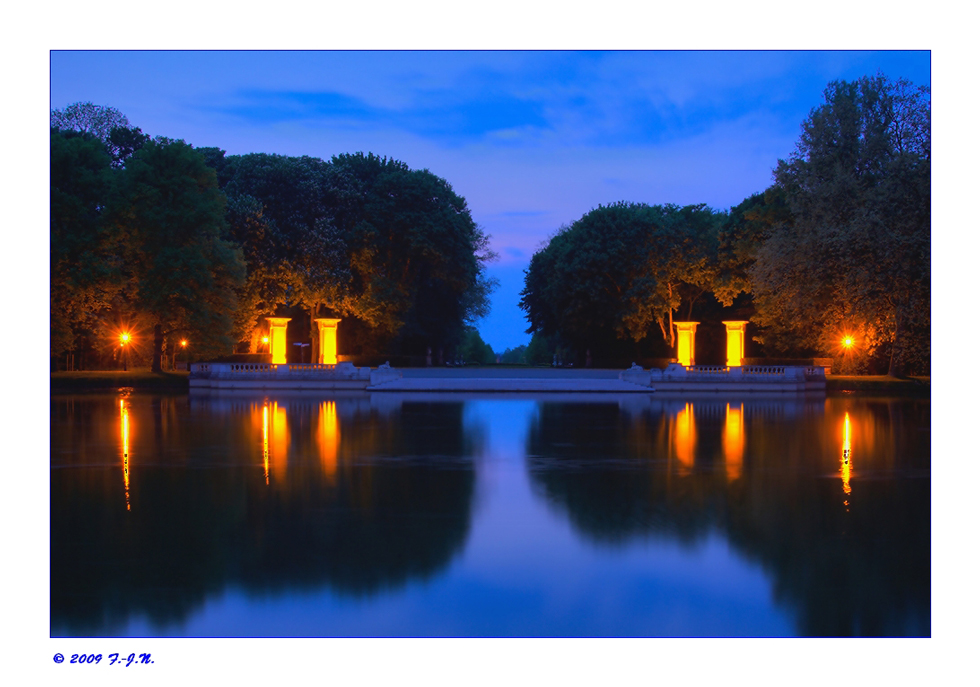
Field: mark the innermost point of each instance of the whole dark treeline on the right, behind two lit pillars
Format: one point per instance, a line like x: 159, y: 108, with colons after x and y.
x: 838, y: 245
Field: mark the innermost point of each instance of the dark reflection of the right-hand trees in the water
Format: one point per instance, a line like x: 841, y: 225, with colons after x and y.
x: 863, y: 568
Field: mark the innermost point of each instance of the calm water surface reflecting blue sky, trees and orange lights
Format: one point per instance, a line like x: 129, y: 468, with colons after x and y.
x: 400, y: 515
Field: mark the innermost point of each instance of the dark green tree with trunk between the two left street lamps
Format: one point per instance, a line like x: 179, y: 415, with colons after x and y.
x: 183, y: 273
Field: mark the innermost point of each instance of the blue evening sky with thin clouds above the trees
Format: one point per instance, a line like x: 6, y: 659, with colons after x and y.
x: 533, y: 139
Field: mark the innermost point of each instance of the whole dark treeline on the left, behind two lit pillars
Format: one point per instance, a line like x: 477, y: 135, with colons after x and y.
x: 176, y: 242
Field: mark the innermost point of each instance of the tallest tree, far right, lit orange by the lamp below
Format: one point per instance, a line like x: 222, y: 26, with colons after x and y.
x: 855, y: 258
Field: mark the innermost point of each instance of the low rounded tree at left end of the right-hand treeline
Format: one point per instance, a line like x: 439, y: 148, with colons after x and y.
x: 620, y: 270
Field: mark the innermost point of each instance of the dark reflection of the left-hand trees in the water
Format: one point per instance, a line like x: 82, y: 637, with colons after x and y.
x: 396, y: 508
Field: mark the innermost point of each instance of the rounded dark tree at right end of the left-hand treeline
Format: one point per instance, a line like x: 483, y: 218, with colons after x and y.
x: 418, y: 260
